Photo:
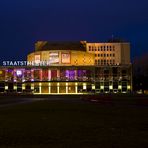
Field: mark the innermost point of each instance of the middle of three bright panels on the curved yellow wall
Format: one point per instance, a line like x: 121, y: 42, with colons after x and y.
x: 54, y: 57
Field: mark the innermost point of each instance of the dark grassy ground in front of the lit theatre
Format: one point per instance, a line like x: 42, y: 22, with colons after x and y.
x: 70, y: 122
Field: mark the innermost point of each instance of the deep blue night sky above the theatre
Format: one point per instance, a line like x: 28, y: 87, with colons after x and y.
x: 23, y: 22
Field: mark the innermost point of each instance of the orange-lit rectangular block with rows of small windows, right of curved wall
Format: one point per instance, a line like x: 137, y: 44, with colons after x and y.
x: 110, y: 53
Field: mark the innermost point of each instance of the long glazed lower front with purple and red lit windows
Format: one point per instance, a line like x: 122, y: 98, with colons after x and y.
x: 66, y: 79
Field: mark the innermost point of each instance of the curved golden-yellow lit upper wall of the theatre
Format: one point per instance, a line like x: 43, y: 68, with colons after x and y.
x: 74, y: 58
